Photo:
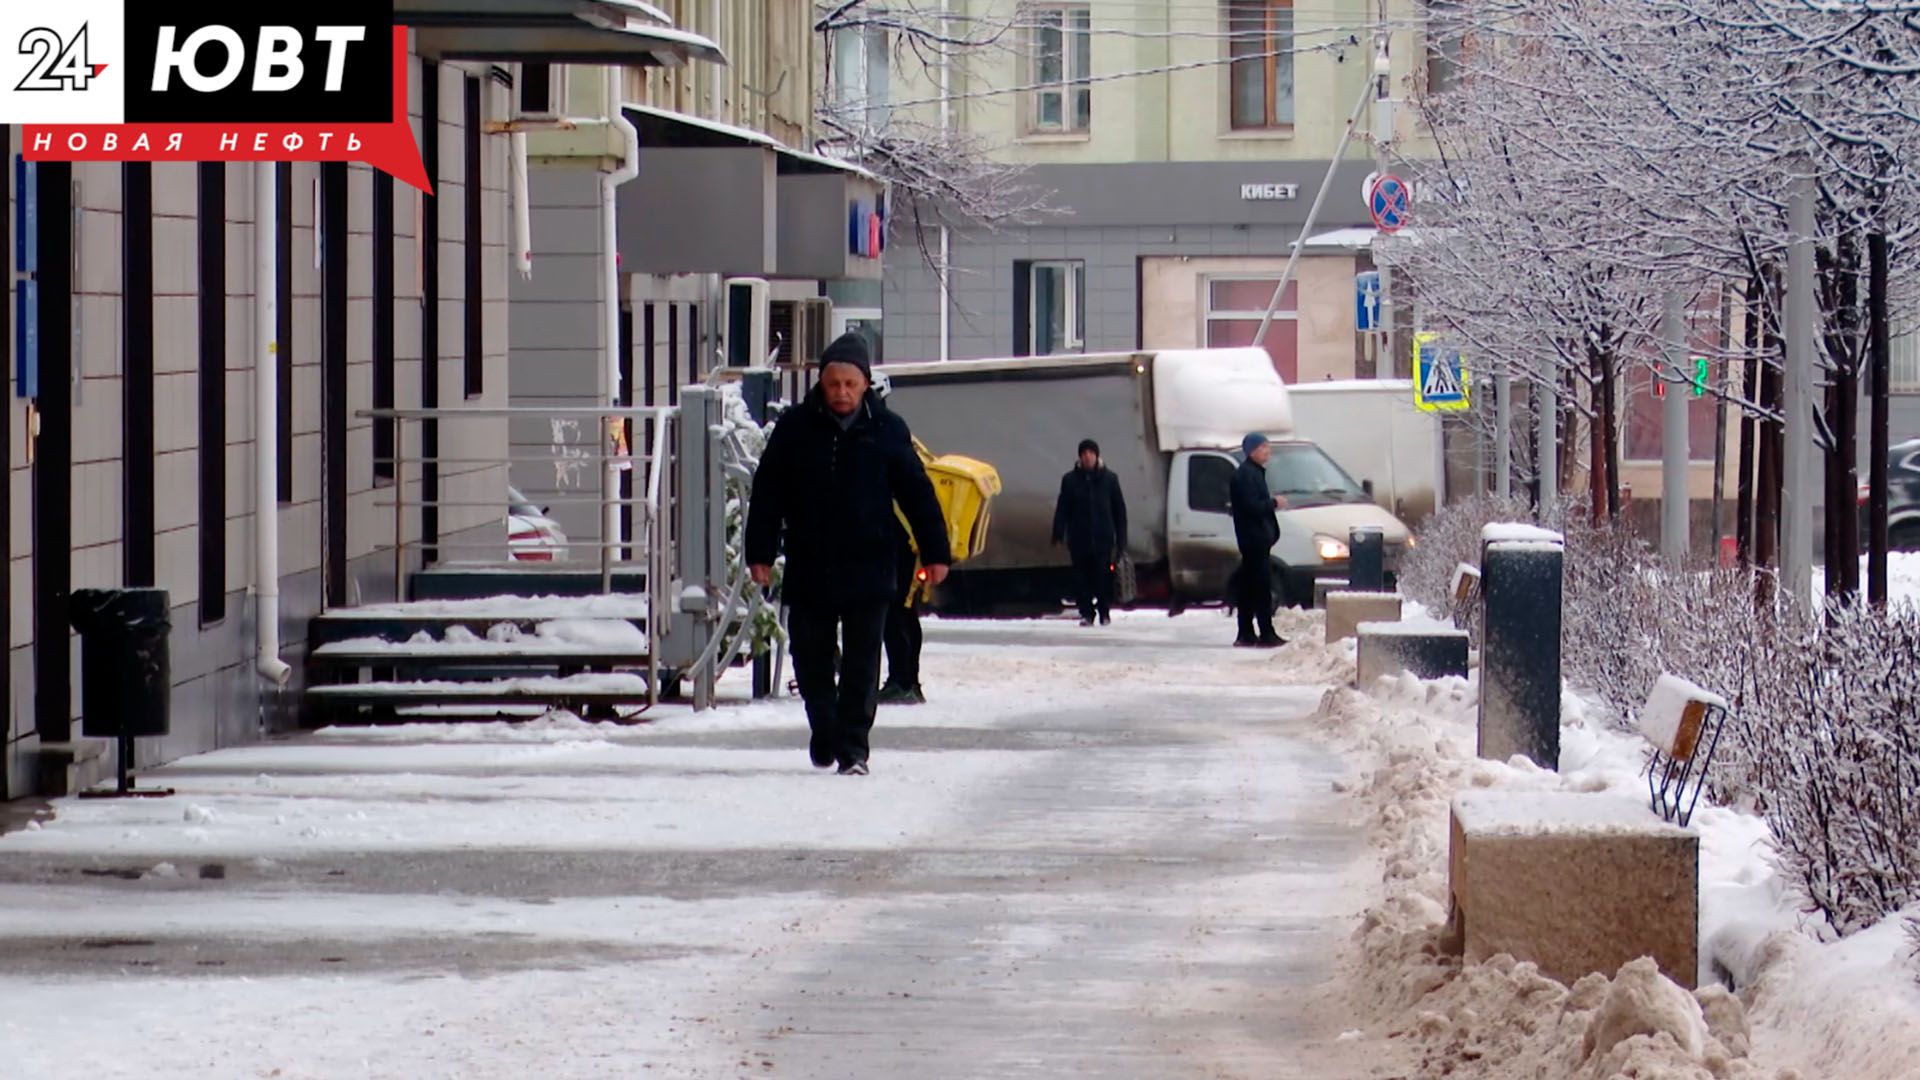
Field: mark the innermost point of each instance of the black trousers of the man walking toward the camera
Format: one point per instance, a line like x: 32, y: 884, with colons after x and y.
x: 838, y: 710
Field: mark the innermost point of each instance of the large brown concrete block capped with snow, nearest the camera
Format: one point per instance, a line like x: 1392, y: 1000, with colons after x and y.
x: 1573, y: 883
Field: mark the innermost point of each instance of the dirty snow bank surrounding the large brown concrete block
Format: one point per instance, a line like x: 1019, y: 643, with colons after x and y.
x: 1823, y: 1008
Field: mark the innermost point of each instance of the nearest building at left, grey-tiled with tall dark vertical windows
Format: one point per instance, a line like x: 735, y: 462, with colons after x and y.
x: 133, y: 428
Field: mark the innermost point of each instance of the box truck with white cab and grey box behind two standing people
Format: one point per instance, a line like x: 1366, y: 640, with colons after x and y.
x: 1170, y: 426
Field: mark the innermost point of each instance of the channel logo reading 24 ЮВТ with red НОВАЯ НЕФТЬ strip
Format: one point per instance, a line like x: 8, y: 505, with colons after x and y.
x: 141, y: 82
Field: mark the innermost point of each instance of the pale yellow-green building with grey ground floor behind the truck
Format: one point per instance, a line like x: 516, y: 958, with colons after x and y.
x: 1184, y: 147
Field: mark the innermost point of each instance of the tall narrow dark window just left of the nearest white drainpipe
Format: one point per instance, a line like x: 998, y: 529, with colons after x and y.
x: 212, y: 393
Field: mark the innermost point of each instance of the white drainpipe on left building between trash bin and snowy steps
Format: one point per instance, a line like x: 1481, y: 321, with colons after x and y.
x: 266, y: 431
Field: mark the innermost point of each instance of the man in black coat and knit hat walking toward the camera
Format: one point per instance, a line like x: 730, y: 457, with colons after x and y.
x: 830, y: 476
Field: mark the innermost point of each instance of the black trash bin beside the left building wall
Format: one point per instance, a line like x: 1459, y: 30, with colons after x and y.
x: 124, y: 662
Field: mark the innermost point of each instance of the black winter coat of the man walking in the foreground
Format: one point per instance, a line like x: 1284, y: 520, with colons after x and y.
x: 834, y: 493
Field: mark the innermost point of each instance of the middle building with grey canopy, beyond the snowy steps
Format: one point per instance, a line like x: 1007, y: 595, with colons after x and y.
x: 727, y: 187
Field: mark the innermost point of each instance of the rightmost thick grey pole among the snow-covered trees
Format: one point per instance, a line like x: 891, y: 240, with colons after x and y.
x: 1796, y: 533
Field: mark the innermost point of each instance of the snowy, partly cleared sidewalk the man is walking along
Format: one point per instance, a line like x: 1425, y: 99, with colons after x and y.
x: 1101, y: 852
